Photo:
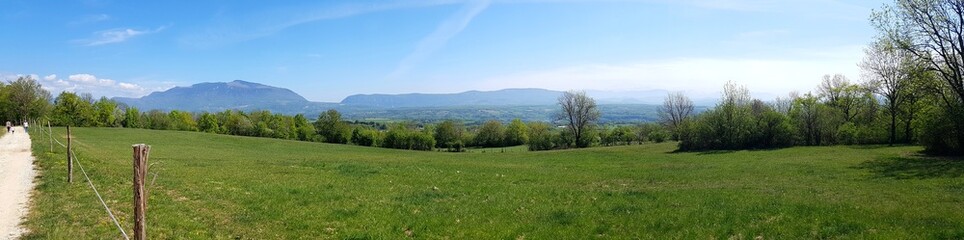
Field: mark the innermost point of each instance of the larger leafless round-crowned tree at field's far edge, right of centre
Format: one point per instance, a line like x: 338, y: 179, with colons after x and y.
x: 580, y: 113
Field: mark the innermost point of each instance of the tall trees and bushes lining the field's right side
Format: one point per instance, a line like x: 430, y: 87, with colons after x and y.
x: 912, y: 92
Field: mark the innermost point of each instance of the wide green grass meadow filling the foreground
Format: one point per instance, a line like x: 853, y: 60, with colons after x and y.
x: 216, y: 186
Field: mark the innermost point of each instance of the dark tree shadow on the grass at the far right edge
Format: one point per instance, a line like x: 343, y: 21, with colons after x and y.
x: 915, y: 167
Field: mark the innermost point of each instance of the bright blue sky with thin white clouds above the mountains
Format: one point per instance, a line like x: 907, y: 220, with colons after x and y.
x: 326, y: 50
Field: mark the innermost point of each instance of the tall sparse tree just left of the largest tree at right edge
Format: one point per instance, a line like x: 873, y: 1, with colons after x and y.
x: 888, y: 70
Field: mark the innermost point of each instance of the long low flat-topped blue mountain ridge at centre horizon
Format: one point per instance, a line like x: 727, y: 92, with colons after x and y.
x: 522, y: 96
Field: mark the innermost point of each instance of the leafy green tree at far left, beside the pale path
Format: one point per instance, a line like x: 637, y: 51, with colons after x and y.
x: 29, y: 99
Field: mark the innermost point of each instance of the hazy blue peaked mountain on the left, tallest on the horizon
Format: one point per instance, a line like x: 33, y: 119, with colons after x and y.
x: 220, y: 96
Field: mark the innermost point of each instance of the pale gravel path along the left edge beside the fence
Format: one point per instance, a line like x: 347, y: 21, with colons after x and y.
x: 16, y: 180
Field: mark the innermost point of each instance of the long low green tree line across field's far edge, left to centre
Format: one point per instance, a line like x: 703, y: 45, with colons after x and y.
x: 25, y: 100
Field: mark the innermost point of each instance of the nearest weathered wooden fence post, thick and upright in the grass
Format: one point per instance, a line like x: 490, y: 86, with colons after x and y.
x: 141, y: 152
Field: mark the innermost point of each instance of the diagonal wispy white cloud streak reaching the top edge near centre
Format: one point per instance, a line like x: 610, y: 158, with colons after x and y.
x: 437, y: 39
